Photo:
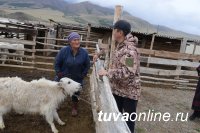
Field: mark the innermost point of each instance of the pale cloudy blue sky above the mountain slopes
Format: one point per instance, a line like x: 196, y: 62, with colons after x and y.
x: 183, y: 15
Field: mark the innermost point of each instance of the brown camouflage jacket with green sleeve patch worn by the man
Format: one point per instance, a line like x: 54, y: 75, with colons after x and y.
x: 124, y: 73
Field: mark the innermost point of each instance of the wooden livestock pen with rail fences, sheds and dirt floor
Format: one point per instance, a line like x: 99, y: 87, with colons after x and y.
x: 164, y: 64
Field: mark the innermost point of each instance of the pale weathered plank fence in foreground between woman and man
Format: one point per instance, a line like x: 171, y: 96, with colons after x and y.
x: 103, y: 100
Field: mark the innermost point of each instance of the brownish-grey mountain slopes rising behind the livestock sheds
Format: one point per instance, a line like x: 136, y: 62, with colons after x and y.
x: 78, y: 13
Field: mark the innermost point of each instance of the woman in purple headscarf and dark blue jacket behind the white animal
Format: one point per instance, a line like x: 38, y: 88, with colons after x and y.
x: 72, y: 61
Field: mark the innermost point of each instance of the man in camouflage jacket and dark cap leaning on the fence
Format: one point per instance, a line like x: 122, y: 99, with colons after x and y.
x: 124, y: 72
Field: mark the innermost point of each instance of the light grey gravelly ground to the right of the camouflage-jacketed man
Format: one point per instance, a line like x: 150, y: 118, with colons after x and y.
x: 167, y: 100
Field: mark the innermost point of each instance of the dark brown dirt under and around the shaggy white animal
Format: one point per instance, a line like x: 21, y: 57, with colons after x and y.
x: 16, y: 123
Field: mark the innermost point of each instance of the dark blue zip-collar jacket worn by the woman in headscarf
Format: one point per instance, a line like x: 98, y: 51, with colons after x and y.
x: 72, y: 66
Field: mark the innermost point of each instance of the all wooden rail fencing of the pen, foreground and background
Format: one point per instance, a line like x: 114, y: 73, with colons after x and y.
x: 157, y: 68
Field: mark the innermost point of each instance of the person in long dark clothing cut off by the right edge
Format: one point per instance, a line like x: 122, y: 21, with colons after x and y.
x: 196, y: 100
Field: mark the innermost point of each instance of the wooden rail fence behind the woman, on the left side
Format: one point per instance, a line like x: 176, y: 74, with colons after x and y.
x: 37, y: 58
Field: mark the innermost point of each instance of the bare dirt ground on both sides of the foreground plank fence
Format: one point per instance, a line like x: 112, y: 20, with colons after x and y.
x: 159, y: 99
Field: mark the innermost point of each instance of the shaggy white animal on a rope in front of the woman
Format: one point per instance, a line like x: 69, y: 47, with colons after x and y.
x: 38, y: 96
